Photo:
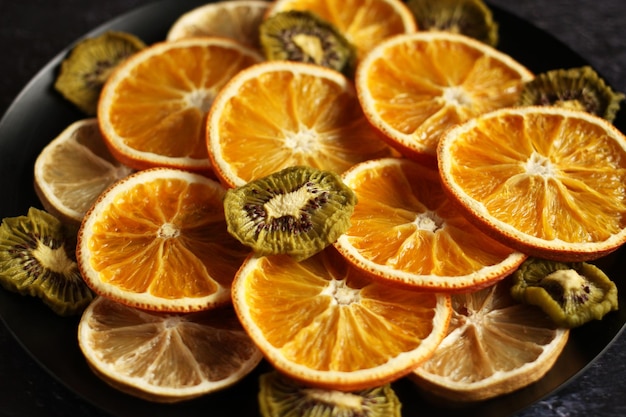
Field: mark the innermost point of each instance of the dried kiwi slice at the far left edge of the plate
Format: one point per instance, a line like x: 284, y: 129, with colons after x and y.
x: 36, y: 259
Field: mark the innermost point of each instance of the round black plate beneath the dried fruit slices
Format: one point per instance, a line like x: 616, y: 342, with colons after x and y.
x: 52, y: 340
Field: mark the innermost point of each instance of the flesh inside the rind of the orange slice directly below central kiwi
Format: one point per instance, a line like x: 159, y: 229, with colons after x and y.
x: 304, y: 318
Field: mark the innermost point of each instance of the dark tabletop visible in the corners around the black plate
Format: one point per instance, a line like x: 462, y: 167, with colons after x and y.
x: 32, y: 32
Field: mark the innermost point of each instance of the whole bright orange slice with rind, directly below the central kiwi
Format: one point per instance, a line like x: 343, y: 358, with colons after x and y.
x: 328, y: 325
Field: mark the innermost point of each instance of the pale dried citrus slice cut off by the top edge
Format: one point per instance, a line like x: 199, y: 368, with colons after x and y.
x: 238, y: 20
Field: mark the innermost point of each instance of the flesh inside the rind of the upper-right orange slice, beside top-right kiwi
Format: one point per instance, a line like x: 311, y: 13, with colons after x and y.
x: 448, y: 84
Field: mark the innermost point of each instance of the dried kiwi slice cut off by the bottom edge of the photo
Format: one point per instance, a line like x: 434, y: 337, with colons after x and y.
x: 282, y: 397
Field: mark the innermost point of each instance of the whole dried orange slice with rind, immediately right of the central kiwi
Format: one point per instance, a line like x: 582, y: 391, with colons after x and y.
x: 405, y: 230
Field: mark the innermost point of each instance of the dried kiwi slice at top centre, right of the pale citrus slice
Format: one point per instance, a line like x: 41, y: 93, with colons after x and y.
x: 302, y: 36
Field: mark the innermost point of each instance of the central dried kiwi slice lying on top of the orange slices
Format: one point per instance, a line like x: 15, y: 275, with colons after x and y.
x: 296, y: 211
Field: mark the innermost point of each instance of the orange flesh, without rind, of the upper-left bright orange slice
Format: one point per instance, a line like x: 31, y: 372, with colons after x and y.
x: 150, y: 111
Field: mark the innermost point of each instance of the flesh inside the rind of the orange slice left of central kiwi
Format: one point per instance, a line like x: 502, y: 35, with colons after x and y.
x: 141, y: 245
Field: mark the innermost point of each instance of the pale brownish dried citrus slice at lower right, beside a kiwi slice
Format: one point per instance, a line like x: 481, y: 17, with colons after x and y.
x: 494, y: 346
